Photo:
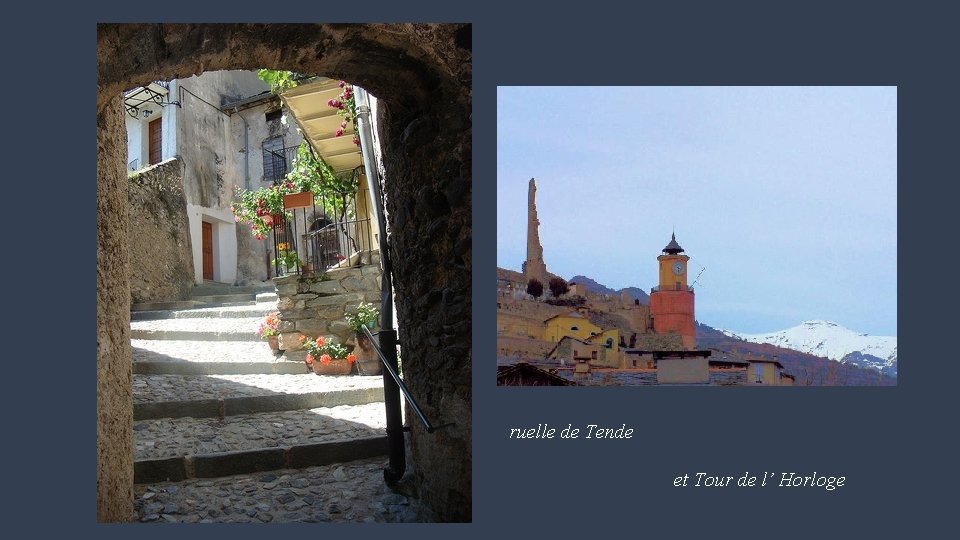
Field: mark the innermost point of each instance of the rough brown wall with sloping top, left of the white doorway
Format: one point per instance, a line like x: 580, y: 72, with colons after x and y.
x: 161, y: 266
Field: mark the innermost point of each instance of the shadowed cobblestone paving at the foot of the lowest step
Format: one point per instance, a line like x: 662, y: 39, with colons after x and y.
x: 344, y: 492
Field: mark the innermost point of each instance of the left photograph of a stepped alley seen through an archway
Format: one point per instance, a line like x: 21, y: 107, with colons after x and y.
x: 272, y: 345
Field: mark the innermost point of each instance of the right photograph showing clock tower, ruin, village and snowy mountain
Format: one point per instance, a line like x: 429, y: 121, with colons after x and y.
x: 697, y: 236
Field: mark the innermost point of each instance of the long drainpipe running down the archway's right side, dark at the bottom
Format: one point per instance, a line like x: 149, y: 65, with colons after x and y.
x: 387, y: 336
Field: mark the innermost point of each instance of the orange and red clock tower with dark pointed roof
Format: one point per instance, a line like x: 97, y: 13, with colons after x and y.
x: 671, y: 302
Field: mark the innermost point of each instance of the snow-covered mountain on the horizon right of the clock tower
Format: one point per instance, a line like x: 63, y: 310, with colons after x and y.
x: 829, y: 339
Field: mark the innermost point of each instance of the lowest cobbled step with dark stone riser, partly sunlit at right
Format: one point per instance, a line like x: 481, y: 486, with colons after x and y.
x: 180, y: 448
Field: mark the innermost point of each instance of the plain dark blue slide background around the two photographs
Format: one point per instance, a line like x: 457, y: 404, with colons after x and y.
x: 896, y: 446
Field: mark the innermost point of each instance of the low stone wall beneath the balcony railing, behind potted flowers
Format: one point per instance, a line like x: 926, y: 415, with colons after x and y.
x: 315, y: 306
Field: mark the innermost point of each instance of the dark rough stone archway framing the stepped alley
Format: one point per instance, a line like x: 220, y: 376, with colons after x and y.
x: 422, y: 76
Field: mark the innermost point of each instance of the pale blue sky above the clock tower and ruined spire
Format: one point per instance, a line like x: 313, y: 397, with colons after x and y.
x: 785, y: 197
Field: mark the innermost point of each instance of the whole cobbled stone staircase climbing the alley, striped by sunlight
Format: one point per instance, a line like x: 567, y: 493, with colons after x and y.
x: 215, y: 409
